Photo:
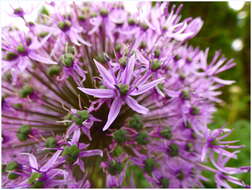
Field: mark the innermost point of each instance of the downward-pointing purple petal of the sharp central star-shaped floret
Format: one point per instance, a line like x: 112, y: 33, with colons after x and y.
x: 113, y: 112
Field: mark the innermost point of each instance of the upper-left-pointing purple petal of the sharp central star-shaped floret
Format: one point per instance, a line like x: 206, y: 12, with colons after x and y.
x: 108, y: 79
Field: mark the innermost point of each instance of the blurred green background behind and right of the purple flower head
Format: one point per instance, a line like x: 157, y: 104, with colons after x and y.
x: 226, y: 28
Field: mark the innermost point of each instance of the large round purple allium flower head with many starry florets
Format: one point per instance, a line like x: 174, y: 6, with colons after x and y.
x: 92, y: 90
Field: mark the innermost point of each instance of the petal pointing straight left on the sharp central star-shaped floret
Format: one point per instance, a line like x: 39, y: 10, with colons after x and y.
x: 99, y: 93
